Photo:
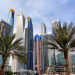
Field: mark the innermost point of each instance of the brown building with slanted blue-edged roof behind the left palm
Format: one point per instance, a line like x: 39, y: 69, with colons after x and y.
x: 5, y: 27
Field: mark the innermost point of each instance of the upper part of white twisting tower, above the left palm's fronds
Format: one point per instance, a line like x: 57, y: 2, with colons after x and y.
x: 20, y: 33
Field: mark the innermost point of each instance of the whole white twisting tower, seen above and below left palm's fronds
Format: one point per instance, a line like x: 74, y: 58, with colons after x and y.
x: 20, y: 33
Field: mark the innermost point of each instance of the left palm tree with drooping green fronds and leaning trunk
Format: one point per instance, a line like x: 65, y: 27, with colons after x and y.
x: 9, y: 46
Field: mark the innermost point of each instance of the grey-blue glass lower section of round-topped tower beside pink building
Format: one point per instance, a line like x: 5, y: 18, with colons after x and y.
x: 44, y: 54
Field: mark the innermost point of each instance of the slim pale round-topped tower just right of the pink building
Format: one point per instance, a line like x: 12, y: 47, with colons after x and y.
x: 44, y: 53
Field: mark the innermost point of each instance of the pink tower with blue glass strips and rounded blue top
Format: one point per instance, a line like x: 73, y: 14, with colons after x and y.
x: 37, y: 65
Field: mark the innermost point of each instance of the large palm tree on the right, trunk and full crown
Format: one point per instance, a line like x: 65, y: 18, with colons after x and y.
x: 62, y: 40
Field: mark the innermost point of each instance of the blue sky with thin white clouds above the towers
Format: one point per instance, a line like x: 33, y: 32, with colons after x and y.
x: 41, y: 11
